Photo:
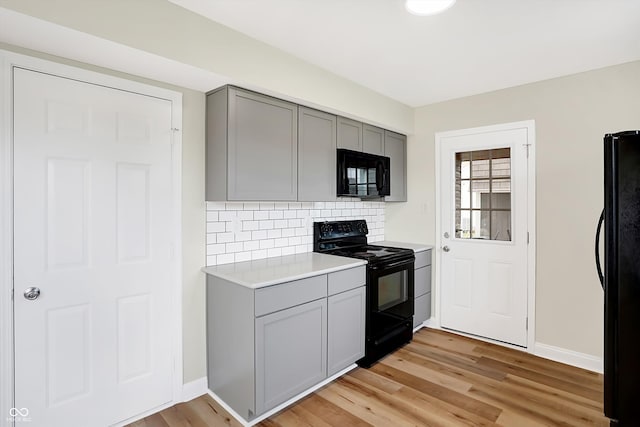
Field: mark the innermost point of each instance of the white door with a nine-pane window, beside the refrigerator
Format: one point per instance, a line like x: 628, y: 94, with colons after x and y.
x: 483, y: 200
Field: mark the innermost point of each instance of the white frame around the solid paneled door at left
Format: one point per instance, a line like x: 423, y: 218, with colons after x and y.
x: 9, y: 60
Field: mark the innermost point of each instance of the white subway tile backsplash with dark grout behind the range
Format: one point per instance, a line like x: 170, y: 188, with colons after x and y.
x: 239, y: 232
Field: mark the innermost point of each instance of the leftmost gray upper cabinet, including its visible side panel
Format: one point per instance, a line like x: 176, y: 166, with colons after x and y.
x: 252, y: 146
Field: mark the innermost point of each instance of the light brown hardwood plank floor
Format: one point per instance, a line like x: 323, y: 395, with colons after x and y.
x: 439, y: 379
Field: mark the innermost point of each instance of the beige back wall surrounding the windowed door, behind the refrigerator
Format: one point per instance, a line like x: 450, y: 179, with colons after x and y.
x: 572, y: 114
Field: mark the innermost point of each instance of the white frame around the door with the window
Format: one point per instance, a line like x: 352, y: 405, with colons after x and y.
x: 529, y: 126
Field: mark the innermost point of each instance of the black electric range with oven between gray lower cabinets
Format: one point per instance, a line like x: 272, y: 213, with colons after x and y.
x: 390, y: 284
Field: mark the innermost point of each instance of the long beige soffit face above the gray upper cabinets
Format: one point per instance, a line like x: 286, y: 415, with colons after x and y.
x: 167, y: 30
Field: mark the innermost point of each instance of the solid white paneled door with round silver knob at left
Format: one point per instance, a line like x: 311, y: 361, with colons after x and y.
x: 92, y: 231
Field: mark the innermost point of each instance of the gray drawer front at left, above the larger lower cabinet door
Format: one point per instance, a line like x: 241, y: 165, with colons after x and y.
x: 290, y: 294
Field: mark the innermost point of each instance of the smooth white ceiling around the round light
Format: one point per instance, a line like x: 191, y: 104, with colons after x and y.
x: 476, y: 46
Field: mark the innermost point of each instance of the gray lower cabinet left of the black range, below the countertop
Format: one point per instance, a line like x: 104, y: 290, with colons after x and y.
x: 266, y: 345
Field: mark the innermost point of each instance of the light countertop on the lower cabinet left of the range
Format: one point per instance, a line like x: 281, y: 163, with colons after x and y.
x: 271, y: 271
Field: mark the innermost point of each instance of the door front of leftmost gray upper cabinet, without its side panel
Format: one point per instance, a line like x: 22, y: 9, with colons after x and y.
x: 262, y: 147
